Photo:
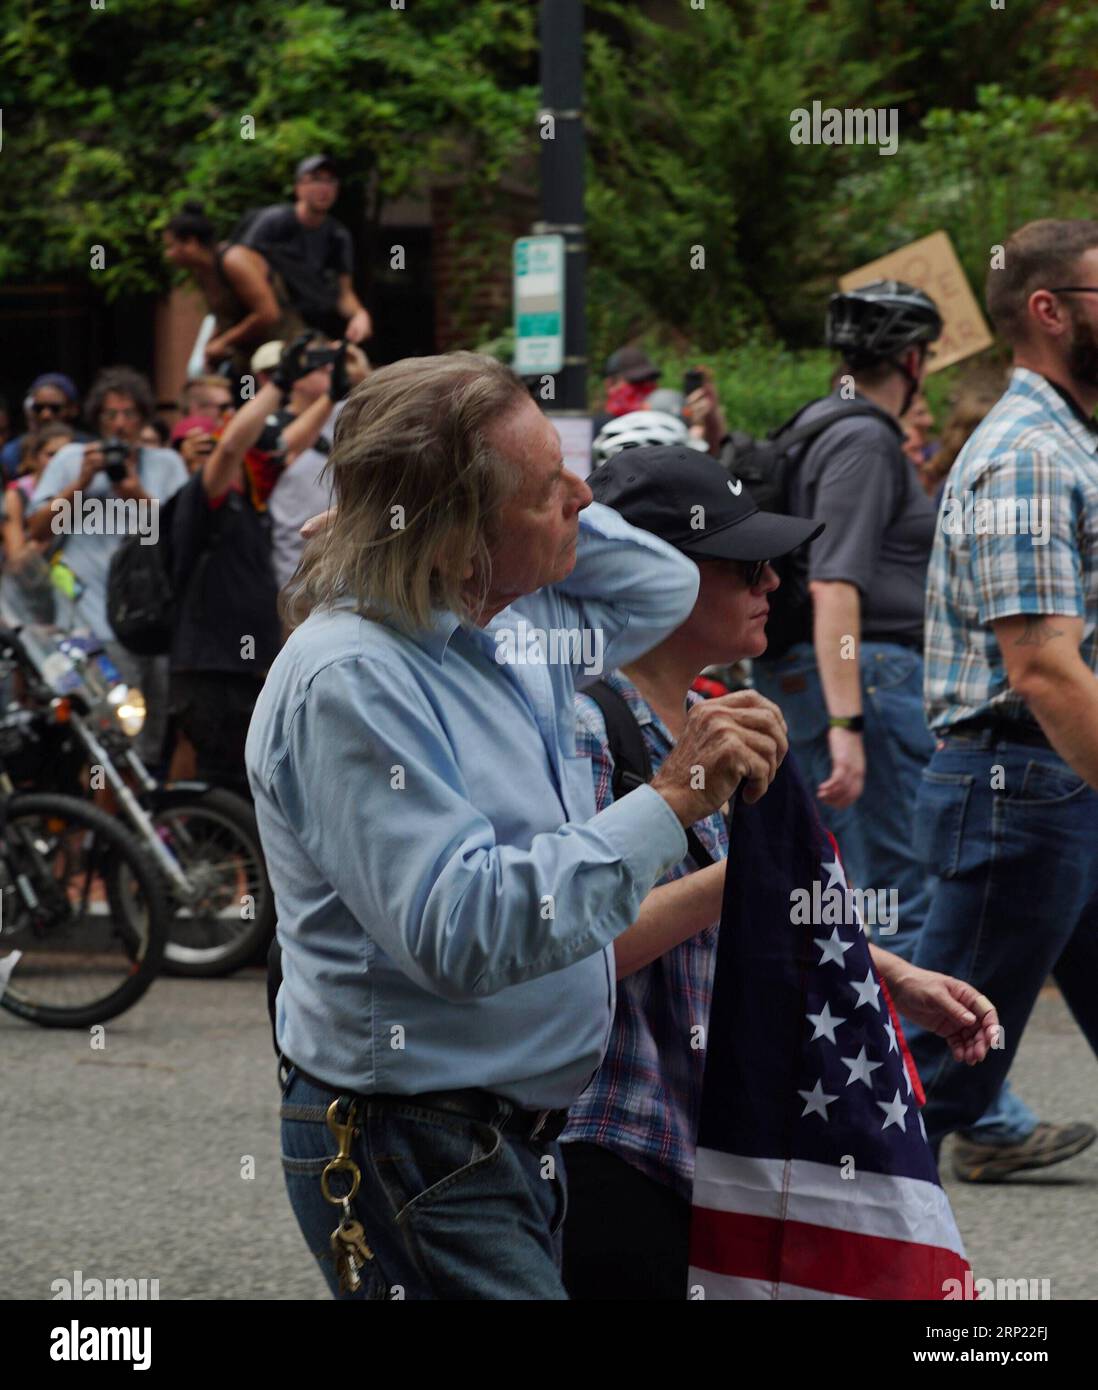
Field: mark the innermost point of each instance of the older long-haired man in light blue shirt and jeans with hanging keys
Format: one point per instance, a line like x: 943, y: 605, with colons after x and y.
x: 448, y: 897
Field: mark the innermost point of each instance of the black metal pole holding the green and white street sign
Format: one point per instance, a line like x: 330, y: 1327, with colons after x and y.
x: 562, y: 183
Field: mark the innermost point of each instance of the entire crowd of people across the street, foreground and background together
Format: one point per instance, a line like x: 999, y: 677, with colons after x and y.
x: 422, y: 801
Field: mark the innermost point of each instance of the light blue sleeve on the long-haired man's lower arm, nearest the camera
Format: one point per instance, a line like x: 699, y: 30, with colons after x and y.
x: 372, y: 787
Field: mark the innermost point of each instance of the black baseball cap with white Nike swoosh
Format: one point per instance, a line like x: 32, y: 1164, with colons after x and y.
x: 661, y: 490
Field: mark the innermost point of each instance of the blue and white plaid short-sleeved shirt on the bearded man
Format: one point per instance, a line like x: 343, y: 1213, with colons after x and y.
x: 1032, y: 448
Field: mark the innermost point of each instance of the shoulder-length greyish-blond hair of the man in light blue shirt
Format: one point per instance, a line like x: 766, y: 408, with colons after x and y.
x: 416, y: 490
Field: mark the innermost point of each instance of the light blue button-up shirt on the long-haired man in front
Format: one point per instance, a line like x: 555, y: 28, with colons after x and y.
x: 447, y: 894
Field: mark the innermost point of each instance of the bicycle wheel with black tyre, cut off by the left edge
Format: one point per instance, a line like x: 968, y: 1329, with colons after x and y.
x: 84, y: 919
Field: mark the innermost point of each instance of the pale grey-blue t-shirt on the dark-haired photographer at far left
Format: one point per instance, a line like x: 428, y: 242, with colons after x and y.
x: 88, y: 555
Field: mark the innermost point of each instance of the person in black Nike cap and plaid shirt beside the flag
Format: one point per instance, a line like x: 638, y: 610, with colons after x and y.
x: 632, y: 1136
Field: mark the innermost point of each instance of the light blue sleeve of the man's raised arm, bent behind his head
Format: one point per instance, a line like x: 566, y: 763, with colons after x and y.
x: 628, y: 584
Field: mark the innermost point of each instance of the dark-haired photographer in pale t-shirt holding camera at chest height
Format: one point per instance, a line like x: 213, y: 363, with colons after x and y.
x: 70, y: 502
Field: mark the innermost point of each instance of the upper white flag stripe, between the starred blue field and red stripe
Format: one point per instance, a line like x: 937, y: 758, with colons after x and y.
x: 868, y: 1204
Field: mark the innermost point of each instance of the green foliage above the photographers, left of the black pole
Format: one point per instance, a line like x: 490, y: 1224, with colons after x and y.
x: 113, y: 115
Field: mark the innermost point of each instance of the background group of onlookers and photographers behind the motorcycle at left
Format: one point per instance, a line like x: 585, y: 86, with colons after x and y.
x: 229, y: 482
